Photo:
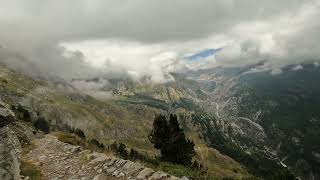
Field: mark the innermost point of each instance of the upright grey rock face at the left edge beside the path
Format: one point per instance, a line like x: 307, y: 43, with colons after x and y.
x: 10, y: 148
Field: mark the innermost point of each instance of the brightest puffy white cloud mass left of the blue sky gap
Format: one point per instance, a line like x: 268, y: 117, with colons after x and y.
x: 136, y: 59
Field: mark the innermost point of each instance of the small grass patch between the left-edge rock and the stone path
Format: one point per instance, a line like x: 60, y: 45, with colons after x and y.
x: 30, y: 170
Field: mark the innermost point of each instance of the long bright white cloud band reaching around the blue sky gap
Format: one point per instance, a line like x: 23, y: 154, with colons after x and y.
x: 138, y: 60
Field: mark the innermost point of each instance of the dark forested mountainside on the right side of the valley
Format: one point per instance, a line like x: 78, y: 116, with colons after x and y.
x: 274, y: 114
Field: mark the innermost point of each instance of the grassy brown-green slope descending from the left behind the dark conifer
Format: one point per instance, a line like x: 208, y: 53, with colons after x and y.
x: 126, y: 118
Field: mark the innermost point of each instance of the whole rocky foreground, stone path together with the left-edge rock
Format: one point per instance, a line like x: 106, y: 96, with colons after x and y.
x: 58, y: 160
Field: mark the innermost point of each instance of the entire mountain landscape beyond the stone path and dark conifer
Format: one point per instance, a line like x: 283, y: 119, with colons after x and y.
x: 244, y: 120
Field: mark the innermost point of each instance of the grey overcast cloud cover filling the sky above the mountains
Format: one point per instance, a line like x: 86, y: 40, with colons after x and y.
x: 137, y: 38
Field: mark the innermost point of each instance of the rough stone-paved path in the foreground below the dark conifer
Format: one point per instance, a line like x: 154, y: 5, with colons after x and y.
x: 58, y: 160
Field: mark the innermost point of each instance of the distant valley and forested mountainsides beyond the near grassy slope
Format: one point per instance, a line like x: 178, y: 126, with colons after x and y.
x: 252, y: 114
